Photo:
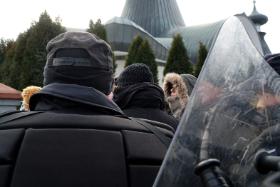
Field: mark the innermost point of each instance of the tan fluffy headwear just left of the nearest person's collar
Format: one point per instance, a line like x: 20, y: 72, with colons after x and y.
x: 26, y: 94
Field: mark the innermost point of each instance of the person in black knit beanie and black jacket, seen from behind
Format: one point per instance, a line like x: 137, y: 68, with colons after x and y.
x: 138, y: 96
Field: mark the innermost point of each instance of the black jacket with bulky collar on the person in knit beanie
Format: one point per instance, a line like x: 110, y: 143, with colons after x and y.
x: 144, y: 100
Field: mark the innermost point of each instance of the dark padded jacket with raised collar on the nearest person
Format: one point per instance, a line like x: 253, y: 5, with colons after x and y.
x: 74, y: 136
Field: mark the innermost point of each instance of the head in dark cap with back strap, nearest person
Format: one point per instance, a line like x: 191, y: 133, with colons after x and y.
x: 79, y: 58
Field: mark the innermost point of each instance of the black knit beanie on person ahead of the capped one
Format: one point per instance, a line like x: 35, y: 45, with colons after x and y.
x: 133, y: 74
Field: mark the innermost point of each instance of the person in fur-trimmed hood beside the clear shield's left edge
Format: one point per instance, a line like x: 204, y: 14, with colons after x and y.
x: 177, y: 89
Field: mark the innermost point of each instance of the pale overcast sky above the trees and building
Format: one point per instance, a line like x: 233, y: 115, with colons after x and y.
x: 17, y: 15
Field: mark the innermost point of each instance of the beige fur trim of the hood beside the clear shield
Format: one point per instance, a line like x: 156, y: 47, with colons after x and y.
x: 176, y: 103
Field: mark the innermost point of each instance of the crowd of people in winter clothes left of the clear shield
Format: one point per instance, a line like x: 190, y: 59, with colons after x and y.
x: 92, y: 127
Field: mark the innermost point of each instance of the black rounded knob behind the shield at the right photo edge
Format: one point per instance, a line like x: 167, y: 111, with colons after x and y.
x: 265, y: 162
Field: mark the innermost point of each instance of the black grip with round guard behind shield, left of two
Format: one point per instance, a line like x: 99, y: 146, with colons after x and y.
x: 211, y: 174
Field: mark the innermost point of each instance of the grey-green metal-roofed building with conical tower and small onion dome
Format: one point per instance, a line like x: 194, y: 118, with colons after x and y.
x: 159, y: 20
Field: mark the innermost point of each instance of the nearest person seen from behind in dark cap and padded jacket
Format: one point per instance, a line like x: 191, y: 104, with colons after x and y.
x: 74, y: 134
